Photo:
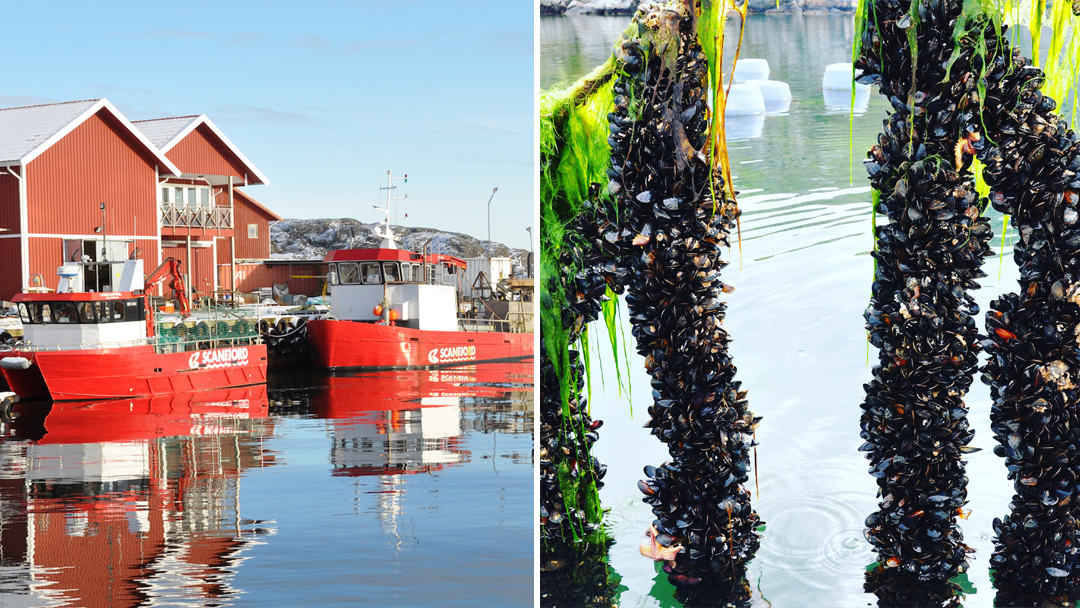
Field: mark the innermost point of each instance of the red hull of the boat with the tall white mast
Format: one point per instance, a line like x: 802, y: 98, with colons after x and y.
x: 348, y: 345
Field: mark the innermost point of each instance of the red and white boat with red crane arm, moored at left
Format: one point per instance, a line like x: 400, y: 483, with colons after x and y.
x: 86, y: 345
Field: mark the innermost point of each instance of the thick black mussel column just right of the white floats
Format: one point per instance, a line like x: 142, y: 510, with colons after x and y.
x: 928, y: 258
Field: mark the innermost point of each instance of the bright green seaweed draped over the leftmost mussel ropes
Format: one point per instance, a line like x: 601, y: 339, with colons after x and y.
x: 574, y: 156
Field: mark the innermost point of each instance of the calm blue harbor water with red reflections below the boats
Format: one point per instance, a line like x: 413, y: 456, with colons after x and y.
x: 384, y: 490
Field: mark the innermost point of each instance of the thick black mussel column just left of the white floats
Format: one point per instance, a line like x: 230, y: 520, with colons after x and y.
x: 676, y: 219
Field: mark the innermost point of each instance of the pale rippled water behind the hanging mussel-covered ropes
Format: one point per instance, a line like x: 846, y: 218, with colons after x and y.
x: 803, y: 281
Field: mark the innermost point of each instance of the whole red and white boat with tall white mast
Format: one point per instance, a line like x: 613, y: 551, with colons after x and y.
x: 395, y: 309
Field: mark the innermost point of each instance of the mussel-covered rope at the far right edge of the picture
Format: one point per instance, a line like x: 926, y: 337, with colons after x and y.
x: 1033, y: 161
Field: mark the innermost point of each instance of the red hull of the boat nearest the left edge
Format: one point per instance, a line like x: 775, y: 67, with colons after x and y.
x: 134, y: 372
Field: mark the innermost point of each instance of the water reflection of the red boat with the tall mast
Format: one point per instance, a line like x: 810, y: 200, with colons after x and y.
x: 387, y: 426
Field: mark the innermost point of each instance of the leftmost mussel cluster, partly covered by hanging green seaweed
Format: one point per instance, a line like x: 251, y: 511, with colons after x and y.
x: 574, y: 571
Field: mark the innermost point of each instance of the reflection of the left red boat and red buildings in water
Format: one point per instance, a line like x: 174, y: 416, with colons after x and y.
x: 130, y: 503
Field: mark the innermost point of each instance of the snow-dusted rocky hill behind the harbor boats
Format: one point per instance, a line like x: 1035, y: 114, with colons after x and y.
x: 310, y: 239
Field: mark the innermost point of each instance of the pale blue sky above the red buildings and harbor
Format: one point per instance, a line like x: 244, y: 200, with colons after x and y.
x: 323, y: 98
